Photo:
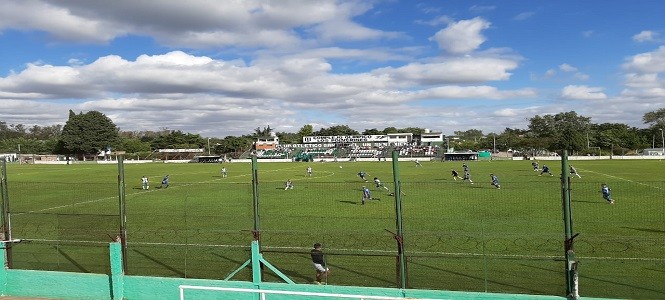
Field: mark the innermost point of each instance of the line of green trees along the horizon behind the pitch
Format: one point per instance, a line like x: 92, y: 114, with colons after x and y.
x: 86, y: 134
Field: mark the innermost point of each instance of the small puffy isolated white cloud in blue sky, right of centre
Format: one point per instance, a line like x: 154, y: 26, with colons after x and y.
x: 462, y: 37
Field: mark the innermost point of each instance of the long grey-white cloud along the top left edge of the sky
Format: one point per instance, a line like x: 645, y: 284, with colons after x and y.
x: 195, y: 23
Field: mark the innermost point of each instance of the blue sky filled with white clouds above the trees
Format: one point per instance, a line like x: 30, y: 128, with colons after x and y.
x: 220, y: 68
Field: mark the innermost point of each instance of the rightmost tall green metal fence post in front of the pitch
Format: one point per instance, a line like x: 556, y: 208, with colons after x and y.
x: 572, y: 291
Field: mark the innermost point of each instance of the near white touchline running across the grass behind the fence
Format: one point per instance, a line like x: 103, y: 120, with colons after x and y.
x: 383, y: 252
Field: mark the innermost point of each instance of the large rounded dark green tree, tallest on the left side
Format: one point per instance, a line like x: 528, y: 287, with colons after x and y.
x: 88, y: 133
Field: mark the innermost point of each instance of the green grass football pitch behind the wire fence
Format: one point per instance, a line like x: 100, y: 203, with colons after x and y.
x: 457, y: 236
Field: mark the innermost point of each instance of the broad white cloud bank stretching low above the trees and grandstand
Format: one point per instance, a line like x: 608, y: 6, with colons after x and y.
x: 181, y: 91
